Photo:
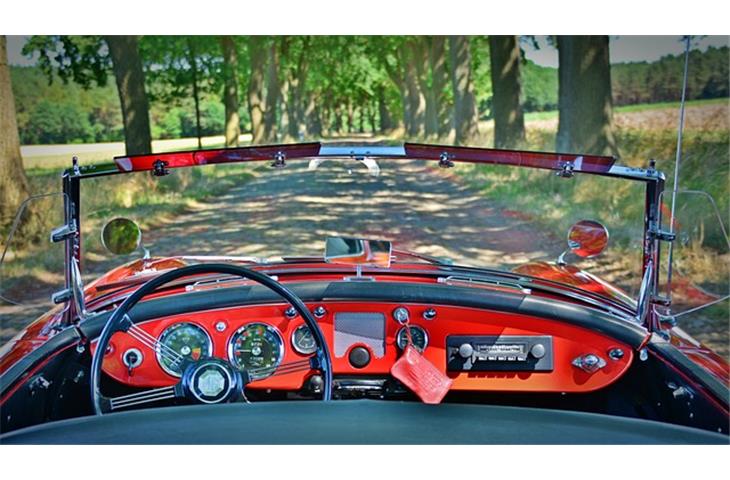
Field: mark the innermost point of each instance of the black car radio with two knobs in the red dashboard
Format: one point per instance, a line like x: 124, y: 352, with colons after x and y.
x: 483, y: 353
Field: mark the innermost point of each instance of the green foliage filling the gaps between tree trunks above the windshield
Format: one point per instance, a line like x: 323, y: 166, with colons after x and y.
x: 344, y: 76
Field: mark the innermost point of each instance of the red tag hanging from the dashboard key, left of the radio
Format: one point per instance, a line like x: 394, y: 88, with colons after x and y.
x: 421, y: 376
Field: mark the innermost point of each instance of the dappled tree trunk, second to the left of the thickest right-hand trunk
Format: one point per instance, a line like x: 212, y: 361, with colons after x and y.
x: 465, y: 110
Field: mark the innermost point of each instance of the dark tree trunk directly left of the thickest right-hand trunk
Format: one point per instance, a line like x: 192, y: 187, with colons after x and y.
x: 509, y: 121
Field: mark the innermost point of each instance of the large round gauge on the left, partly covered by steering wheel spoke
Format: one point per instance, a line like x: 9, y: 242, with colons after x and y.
x: 190, y: 341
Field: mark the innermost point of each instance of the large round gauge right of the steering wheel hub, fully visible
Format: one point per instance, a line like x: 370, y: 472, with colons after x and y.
x: 257, y: 348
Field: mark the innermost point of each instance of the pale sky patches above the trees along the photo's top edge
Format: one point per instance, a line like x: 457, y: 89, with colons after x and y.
x: 622, y: 48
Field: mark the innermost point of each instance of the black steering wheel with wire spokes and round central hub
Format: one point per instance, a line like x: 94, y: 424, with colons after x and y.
x: 206, y: 380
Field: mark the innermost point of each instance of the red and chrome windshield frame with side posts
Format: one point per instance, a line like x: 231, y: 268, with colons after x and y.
x: 563, y: 164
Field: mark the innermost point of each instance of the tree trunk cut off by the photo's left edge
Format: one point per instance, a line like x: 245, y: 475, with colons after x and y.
x: 13, y: 182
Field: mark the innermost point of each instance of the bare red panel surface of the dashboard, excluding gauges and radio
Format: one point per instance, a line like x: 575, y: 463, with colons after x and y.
x: 568, y: 342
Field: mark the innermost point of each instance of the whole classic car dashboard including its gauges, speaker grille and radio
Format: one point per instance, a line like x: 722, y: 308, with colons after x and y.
x: 481, y: 350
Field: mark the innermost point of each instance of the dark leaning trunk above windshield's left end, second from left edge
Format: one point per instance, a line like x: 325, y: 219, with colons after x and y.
x: 129, y: 76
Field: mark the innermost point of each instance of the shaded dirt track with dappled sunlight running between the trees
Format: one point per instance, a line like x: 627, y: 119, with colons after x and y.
x: 291, y: 212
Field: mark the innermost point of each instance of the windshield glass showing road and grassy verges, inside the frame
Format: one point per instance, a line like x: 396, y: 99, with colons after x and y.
x: 473, y: 215
